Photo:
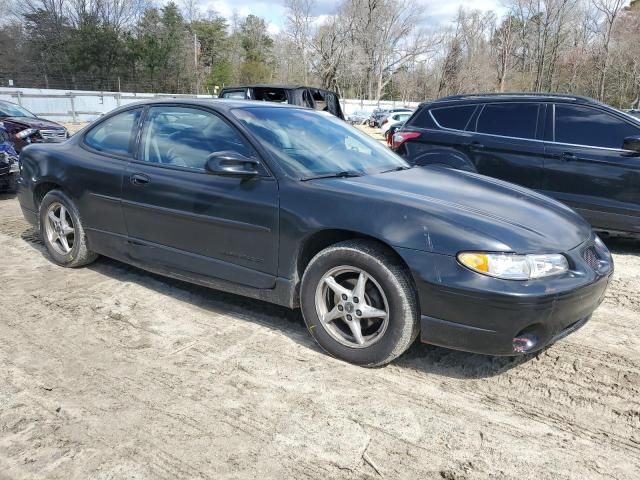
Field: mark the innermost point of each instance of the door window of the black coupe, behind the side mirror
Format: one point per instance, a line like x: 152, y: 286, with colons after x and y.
x: 186, y: 137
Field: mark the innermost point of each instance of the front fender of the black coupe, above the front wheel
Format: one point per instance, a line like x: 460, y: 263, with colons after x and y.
x: 417, y: 225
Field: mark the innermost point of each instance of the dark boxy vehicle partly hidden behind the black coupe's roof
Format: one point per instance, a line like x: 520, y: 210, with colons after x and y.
x: 312, y: 97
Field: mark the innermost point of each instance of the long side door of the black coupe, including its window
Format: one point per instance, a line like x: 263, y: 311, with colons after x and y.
x: 182, y: 218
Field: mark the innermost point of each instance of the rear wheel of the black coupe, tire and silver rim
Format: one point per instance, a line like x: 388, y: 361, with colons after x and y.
x: 78, y: 253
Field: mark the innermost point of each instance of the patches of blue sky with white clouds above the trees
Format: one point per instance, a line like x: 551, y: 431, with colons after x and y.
x: 435, y: 12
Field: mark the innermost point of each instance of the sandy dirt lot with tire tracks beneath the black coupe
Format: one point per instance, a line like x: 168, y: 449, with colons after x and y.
x: 109, y: 372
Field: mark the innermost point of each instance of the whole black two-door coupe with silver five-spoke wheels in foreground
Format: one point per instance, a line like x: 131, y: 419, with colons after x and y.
x: 258, y: 200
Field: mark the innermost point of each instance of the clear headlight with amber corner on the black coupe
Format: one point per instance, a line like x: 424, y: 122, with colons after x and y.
x: 510, y: 266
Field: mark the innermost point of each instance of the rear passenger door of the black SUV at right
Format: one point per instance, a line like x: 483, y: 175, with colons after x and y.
x: 506, y: 143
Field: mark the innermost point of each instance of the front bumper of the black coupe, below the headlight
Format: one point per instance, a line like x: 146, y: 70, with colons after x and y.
x: 464, y: 310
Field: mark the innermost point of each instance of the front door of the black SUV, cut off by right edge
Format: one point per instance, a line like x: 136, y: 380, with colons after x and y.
x: 586, y: 167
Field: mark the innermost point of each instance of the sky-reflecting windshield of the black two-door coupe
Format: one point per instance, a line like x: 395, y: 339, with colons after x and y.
x: 311, y: 144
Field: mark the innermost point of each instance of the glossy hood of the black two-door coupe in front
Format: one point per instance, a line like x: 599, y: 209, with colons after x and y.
x: 447, y: 211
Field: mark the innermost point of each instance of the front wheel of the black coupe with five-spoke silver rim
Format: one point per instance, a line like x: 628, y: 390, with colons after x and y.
x: 388, y: 287
